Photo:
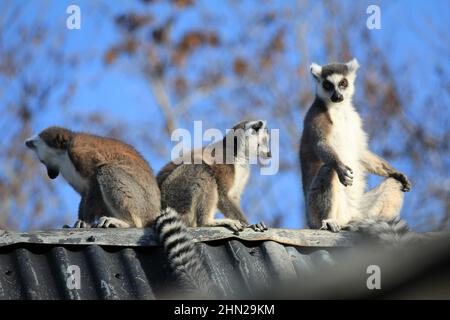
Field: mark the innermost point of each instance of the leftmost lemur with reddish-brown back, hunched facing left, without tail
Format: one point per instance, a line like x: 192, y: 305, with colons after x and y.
x: 116, y: 184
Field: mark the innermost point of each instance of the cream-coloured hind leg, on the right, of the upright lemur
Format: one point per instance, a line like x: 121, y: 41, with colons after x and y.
x: 385, y: 200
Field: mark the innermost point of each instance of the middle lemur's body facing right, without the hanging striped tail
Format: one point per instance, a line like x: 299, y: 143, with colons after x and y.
x: 196, y: 191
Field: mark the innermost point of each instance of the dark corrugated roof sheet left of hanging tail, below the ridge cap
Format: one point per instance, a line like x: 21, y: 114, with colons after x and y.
x: 33, y: 271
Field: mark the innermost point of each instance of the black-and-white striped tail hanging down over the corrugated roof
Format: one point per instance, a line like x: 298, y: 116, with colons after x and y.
x: 185, y: 260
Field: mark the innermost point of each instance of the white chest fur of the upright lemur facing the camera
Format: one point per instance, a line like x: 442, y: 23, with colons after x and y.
x: 349, y: 140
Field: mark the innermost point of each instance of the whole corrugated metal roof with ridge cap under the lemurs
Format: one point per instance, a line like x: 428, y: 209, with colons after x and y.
x: 128, y: 264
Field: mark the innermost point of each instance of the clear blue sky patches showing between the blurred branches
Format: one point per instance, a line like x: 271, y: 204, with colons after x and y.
x: 120, y: 92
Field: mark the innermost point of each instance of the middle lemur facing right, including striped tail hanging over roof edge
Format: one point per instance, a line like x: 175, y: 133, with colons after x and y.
x: 191, y: 194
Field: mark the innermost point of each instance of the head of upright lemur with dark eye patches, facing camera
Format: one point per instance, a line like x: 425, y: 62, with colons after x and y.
x: 335, y: 82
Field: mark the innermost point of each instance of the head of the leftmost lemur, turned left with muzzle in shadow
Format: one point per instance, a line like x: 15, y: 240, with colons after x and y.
x: 50, y: 146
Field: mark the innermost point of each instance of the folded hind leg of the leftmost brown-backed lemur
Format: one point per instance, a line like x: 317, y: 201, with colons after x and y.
x: 123, y: 197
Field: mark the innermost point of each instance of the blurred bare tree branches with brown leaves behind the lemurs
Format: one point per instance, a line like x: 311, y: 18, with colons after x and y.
x: 198, y: 63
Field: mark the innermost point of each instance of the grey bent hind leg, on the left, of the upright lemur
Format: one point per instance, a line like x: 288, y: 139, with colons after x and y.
x: 321, y: 200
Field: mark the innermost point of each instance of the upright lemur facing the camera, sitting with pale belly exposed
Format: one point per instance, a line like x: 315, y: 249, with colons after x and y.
x: 335, y: 158
